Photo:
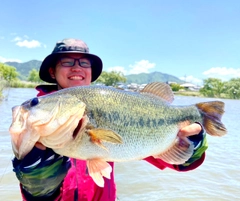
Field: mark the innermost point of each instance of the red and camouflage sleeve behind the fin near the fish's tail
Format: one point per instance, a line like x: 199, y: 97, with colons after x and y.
x: 200, y: 144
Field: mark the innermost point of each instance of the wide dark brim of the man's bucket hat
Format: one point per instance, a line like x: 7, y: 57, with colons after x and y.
x: 50, y: 61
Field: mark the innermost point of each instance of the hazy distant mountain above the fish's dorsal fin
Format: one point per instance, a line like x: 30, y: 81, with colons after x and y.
x: 144, y: 78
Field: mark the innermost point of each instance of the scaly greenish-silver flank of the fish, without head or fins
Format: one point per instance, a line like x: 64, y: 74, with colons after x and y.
x: 141, y: 128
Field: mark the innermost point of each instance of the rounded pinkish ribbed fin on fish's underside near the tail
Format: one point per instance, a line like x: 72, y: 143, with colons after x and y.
x: 179, y: 153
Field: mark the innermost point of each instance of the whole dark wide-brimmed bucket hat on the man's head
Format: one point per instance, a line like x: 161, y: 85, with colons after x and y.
x: 69, y: 46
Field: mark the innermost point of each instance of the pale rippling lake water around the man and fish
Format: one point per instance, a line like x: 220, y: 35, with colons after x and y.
x: 218, y: 178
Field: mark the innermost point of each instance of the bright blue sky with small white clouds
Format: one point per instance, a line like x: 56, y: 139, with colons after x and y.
x: 189, y: 39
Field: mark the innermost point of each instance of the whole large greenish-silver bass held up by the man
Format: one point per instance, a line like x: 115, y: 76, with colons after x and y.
x: 100, y: 124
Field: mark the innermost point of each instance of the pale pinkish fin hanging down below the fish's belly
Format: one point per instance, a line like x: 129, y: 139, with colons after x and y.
x: 98, y: 169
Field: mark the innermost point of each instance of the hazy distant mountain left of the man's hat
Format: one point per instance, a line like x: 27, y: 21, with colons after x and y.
x: 26, y: 67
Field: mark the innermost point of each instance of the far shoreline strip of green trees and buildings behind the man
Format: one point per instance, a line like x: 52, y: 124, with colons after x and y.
x: 211, y: 88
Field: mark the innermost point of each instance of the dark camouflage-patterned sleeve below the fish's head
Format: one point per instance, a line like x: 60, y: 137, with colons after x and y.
x: 41, y: 174
